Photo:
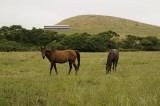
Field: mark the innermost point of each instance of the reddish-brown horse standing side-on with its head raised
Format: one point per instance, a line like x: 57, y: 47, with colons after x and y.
x: 61, y: 56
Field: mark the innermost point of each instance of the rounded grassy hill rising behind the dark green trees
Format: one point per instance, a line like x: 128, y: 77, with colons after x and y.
x: 97, y: 23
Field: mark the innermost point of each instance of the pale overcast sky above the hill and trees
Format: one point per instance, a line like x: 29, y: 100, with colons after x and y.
x: 38, y: 13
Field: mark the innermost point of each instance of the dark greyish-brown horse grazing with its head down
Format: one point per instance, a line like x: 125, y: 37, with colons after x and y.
x: 112, y: 59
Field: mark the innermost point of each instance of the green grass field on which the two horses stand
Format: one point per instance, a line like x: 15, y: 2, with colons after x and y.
x: 25, y: 81
